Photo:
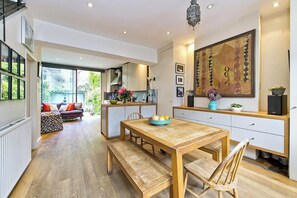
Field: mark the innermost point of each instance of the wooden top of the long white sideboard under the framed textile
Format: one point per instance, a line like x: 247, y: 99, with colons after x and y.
x: 260, y: 114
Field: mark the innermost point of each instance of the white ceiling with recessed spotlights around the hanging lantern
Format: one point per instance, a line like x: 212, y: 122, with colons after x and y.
x: 146, y: 21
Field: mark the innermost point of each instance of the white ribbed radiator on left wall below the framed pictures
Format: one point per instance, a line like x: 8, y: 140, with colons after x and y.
x: 15, y: 154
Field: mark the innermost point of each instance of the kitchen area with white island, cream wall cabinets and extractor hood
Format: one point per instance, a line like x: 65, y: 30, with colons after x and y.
x: 134, y: 77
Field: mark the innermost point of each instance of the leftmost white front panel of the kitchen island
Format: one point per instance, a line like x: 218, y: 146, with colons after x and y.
x: 115, y: 116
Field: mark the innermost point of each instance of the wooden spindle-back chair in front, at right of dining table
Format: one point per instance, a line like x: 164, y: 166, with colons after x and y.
x: 219, y: 176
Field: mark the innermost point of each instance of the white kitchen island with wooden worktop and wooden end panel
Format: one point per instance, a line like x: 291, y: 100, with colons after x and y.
x: 113, y: 114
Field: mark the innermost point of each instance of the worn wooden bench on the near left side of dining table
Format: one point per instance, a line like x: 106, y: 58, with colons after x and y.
x: 147, y: 175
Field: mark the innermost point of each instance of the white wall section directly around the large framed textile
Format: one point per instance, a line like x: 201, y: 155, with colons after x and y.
x: 245, y: 24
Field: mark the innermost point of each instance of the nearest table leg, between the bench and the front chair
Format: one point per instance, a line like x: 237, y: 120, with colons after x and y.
x: 177, y: 174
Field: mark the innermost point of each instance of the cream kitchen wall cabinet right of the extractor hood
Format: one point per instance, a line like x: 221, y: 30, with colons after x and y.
x: 134, y: 76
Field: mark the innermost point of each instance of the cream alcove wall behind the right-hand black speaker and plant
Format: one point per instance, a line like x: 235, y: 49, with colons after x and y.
x: 275, y: 46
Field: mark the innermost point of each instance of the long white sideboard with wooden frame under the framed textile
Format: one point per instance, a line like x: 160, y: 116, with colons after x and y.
x: 270, y: 132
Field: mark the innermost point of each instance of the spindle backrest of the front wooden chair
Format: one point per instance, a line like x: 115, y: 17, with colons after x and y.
x: 226, y: 171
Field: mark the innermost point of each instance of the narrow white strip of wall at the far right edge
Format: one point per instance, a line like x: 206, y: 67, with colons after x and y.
x: 293, y: 92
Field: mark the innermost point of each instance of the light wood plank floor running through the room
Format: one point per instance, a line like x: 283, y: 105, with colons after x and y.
x: 72, y: 163
